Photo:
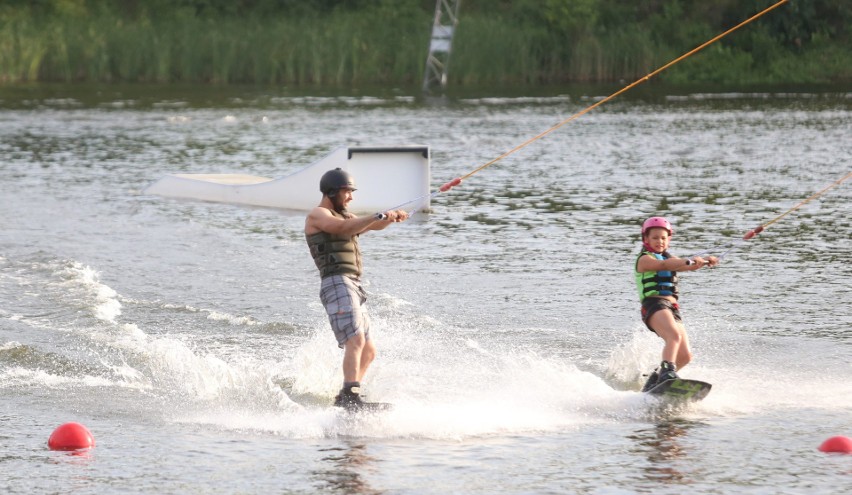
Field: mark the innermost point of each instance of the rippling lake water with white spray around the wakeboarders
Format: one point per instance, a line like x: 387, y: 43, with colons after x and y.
x: 189, y: 336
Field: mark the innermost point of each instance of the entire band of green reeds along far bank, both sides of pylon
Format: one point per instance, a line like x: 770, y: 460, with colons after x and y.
x: 354, y: 48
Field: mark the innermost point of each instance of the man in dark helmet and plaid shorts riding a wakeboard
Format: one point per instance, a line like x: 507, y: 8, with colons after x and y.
x: 332, y: 234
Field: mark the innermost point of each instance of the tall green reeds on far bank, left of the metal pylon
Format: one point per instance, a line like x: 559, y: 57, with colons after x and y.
x: 338, y: 50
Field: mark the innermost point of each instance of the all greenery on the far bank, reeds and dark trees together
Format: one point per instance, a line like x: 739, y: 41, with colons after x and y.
x: 351, y: 43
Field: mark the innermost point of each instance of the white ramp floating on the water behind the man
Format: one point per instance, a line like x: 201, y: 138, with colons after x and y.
x: 386, y: 177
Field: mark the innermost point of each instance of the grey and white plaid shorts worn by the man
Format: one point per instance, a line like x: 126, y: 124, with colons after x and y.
x: 345, y: 302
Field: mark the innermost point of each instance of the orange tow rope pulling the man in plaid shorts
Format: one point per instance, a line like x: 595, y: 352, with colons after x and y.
x: 458, y: 180
